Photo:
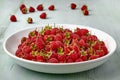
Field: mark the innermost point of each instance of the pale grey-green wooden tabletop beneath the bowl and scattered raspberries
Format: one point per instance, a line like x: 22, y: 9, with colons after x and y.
x: 104, y: 15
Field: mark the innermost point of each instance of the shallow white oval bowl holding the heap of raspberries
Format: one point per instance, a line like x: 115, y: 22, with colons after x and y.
x: 11, y: 43
